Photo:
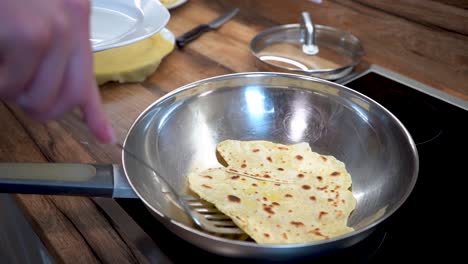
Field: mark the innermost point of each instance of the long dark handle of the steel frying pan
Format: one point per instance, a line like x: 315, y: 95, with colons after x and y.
x: 64, y: 179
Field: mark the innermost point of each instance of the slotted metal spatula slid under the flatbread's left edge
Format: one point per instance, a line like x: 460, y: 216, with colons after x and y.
x: 203, y: 213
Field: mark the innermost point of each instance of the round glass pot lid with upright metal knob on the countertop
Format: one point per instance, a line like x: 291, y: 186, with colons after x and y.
x: 309, y: 49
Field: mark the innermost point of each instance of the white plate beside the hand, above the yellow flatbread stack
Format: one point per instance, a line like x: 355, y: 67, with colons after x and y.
x: 121, y: 22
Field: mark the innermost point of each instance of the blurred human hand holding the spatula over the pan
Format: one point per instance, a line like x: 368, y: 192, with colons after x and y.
x: 46, y: 62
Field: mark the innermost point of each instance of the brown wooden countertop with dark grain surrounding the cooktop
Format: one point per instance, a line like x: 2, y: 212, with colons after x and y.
x: 424, y: 40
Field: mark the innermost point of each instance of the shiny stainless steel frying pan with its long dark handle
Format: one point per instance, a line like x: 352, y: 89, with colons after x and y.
x: 180, y: 131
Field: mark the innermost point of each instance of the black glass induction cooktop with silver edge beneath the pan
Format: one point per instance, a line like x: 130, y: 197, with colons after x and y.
x: 425, y: 225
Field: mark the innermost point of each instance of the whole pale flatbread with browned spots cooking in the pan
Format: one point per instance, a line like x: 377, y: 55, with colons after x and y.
x: 311, y: 207
